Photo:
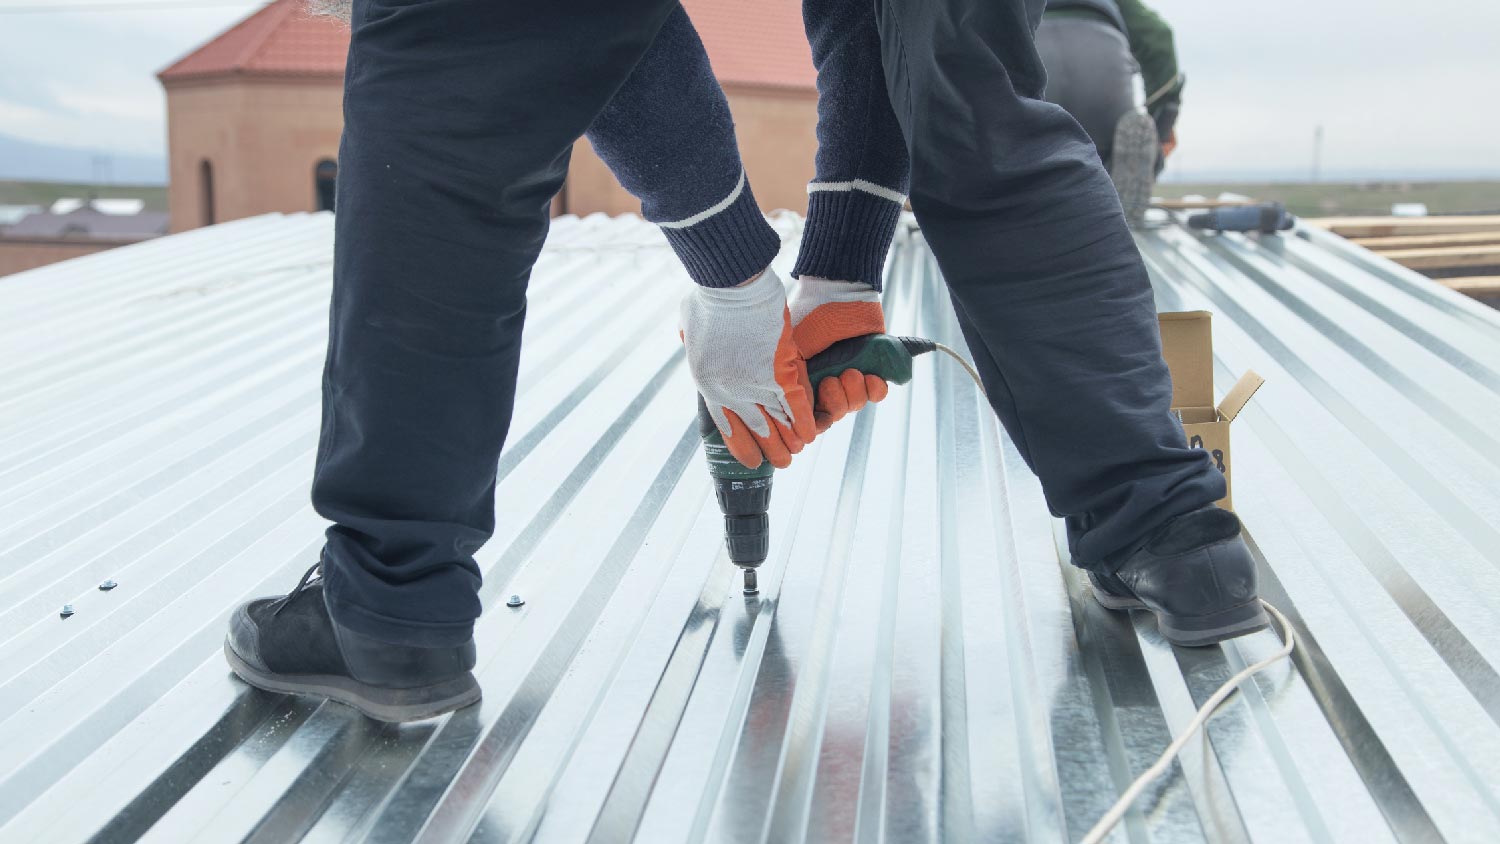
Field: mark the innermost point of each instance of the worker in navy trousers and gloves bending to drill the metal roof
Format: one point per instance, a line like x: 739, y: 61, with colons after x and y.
x: 458, y: 122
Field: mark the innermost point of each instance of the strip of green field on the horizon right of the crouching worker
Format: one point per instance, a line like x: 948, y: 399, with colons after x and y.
x: 1331, y: 199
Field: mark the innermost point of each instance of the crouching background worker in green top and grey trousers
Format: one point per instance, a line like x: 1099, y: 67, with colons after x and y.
x: 1093, y: 50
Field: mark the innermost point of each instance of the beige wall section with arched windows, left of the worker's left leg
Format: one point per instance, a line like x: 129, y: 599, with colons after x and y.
x: 263, y: 139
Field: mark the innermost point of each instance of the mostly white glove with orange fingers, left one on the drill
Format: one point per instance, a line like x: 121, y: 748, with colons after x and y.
x: 748, y: 370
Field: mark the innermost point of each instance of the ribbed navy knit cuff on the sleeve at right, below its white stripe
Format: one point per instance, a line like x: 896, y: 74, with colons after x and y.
x: 847, y: 236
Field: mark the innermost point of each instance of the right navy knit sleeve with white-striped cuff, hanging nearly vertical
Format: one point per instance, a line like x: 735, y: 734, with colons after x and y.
x: 860, y: 187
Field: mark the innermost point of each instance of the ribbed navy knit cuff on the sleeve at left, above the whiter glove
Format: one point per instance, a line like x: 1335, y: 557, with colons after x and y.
x: 727, y: 248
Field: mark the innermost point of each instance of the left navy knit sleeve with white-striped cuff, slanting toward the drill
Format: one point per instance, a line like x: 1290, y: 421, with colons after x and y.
x: 670, y: 140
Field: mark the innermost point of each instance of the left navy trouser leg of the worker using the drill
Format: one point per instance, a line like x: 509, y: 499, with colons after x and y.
x: 458, y: 124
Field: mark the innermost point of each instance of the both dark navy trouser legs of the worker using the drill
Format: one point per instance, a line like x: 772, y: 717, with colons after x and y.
x: 460, y: 118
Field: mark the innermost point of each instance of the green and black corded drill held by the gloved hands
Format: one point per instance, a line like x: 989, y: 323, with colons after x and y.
x: 745, y: 495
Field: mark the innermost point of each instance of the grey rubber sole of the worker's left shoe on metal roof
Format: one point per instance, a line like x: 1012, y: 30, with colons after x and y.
x: 392, y: 705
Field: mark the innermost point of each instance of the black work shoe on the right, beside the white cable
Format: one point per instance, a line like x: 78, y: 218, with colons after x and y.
x: 1196, y: 575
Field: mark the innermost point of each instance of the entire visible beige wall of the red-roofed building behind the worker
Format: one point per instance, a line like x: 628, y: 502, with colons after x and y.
x: 263, y: 139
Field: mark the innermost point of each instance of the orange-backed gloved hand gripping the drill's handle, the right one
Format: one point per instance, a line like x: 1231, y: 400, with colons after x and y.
x: 823, y: 314
